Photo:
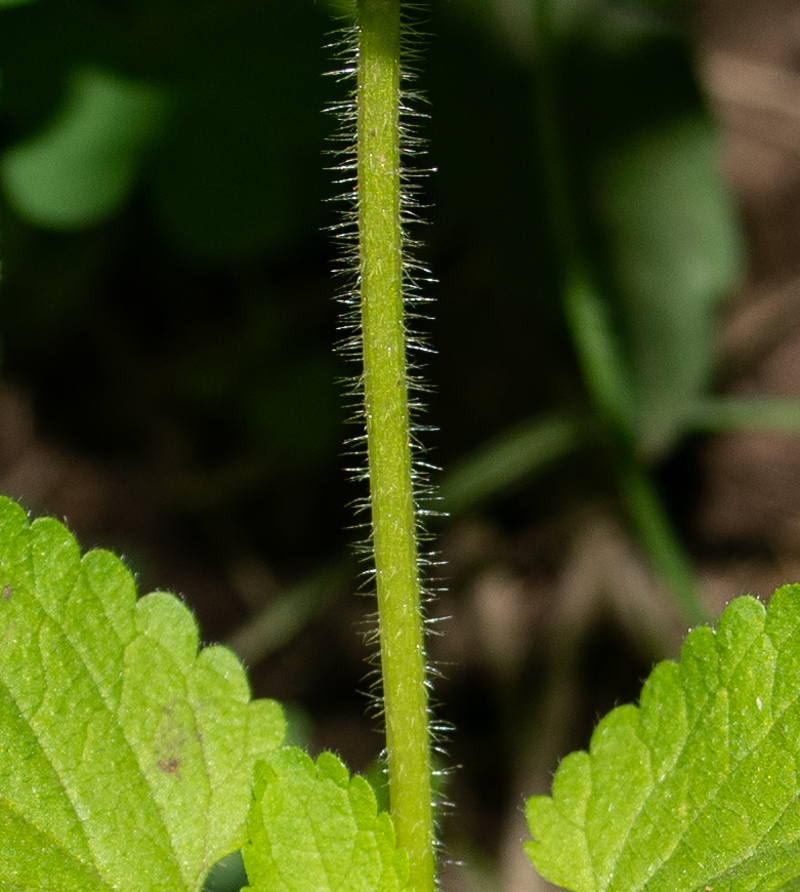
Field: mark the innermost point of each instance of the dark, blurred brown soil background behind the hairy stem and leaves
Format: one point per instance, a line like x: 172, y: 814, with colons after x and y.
x: 169, y: 385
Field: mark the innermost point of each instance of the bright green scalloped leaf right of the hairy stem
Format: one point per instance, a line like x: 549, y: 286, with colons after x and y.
x: 697, y: 787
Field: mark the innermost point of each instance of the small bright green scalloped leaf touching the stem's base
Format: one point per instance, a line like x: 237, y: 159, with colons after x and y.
x: 313, y: 828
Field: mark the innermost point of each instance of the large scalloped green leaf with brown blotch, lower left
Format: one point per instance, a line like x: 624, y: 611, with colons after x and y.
x: 125, y: 756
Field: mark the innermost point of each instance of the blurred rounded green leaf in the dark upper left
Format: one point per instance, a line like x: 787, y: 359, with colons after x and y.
x: 80, y: 169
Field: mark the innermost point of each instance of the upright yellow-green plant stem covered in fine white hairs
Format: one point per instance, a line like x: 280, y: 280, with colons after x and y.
x: 389, y: 435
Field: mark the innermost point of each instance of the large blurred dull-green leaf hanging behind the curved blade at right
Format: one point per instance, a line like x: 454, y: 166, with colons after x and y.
x: 676, y: 250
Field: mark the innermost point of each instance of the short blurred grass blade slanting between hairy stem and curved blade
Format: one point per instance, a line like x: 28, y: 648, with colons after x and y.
x: 512, y: 457
